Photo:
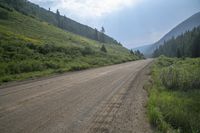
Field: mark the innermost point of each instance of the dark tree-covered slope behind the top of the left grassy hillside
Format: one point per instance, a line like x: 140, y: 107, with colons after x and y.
x: 33, y: 10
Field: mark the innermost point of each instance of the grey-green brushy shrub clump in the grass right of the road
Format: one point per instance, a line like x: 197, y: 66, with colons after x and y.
x: 181, y: 78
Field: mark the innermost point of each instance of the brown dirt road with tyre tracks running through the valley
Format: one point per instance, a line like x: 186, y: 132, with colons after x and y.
x: 107, y: 99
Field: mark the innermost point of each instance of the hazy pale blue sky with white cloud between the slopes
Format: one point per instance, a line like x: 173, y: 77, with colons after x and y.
x: 132, y: 22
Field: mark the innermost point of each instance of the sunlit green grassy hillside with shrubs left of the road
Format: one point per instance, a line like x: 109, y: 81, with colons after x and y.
x: 30, y: 48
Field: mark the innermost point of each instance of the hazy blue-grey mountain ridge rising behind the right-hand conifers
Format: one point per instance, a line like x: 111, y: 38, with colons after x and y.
x: 187, y: 25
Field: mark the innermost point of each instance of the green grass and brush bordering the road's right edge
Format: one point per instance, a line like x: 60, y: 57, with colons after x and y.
x: 174, y: 95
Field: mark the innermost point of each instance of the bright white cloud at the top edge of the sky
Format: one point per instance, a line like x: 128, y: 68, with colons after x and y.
x: 88, y: 8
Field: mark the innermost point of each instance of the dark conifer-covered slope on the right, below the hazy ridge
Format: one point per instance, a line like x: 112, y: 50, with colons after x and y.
x: 185, y: 45
